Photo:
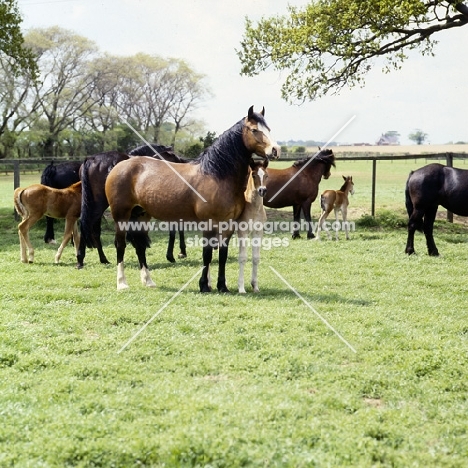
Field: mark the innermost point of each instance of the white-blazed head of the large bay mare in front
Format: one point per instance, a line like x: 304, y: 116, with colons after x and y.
x: 257, y: 138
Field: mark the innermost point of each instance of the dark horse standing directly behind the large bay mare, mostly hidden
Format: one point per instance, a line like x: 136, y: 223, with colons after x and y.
x: 93, y: 175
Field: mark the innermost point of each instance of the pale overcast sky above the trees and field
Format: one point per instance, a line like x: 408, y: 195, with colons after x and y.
x: 427, y: 93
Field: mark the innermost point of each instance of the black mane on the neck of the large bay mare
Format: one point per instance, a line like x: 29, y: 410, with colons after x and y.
x: 228, y: 154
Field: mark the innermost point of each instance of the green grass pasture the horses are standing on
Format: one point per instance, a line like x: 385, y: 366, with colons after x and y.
x: 227, y: 380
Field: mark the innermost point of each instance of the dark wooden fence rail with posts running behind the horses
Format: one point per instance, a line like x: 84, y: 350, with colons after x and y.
x: 28, y: 165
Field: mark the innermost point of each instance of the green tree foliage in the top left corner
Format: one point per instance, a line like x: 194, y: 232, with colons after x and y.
x: 22, y: 59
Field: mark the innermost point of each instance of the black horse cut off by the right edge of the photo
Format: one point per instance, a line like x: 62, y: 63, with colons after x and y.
x: 426, y: 189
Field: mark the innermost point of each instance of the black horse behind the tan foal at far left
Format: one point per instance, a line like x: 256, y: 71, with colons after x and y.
x: 58, y: 176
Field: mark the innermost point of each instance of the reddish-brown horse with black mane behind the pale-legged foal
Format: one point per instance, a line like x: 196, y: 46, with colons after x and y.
x: 297, y: 186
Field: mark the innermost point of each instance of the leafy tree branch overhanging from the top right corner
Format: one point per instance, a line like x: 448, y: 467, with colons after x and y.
x: 329, y: 44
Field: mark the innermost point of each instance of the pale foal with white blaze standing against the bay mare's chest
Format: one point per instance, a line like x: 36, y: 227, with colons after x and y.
x: 253, y: 216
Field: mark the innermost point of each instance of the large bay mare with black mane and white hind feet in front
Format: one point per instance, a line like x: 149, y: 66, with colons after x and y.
x: 210, y: 188
